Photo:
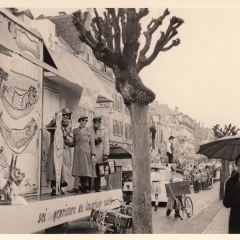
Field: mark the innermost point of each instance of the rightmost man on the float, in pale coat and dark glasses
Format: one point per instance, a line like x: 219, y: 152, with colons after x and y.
x: 101, y: 140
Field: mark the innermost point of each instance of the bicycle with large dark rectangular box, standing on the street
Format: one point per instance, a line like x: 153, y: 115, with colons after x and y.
x: 182, y: 203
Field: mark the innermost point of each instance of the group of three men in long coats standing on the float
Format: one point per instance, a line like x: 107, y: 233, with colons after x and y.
x: 91, y: 146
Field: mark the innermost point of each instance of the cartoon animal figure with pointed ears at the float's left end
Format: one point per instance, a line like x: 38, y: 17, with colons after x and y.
x: 15, y: 178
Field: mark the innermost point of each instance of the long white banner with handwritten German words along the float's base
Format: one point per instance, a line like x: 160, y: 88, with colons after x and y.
x: 39, y: 215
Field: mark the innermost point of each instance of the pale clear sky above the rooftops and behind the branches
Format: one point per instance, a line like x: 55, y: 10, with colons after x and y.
x: 200, y: 76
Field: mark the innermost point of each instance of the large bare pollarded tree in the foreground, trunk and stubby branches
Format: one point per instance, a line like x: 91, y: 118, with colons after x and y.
x: 117, y: 27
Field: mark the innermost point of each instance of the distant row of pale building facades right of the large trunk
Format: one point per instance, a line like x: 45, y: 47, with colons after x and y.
x: 189, y: 135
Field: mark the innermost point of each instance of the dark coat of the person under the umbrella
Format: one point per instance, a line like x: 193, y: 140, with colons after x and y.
x: 232, y: 200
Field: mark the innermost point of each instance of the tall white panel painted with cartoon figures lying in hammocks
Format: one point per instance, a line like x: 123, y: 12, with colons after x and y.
x: 20, y: 110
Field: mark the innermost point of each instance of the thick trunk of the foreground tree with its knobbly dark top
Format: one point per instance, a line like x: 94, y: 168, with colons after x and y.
x: 130, y: 85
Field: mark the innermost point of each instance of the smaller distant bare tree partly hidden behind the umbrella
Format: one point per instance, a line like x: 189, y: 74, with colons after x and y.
x: 219, y: 133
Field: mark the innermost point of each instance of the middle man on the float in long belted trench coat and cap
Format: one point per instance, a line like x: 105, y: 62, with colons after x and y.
x: 84, y: 147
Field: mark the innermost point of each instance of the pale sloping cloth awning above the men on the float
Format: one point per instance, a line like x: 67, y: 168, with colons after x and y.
x: 76, y: 71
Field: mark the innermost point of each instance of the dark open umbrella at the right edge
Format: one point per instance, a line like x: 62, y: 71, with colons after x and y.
x: 226, y: 148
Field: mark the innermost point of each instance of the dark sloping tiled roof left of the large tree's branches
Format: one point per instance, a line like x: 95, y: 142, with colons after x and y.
x: 68, y: 31
